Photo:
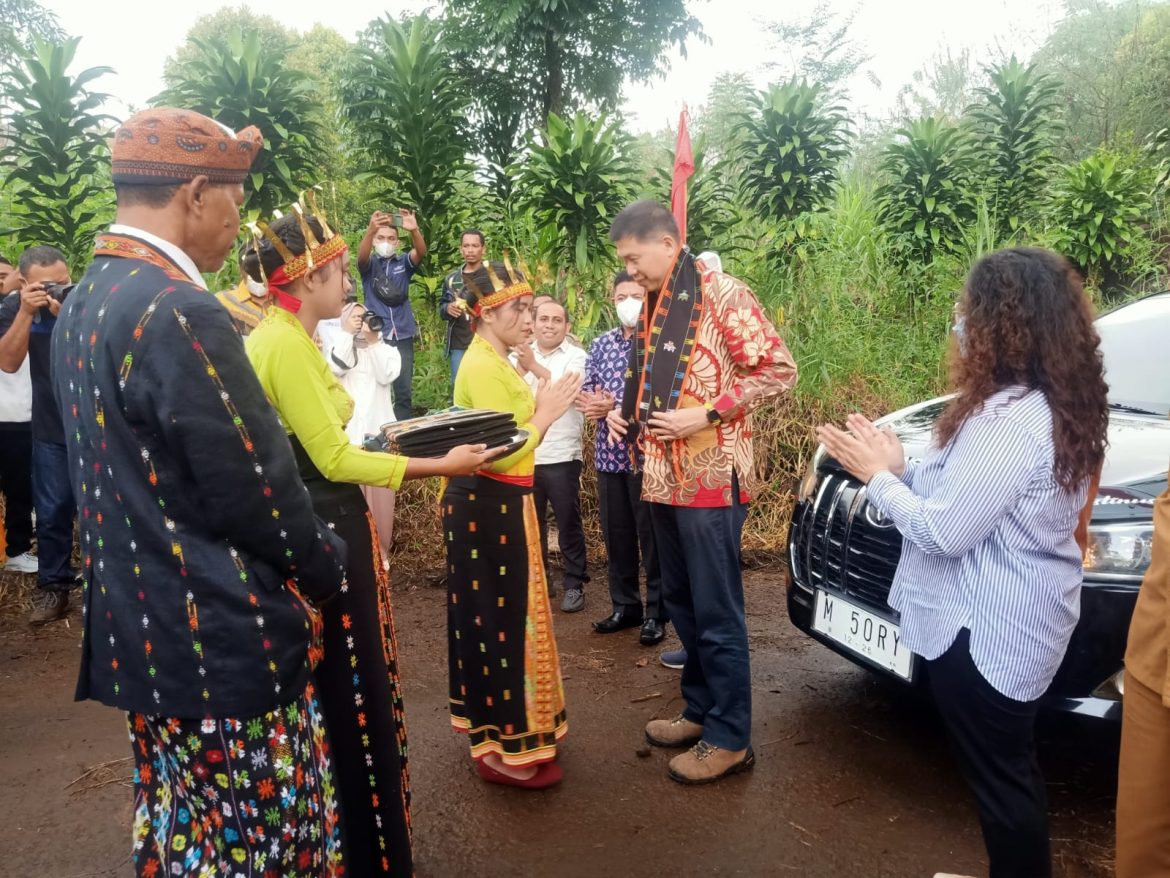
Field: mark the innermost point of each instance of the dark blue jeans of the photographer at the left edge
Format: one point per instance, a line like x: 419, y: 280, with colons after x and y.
x: 56, y: 512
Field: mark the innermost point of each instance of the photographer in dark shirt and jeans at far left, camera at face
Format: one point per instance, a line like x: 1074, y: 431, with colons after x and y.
x: 27, y: 320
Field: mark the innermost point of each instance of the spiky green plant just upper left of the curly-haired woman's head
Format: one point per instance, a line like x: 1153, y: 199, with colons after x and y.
x: 926, y: 201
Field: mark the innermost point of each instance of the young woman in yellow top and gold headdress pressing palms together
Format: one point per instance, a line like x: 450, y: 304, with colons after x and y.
x: 506, y: 690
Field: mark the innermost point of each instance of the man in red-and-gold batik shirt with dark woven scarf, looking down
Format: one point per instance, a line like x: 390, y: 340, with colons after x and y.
x: 704, y: 356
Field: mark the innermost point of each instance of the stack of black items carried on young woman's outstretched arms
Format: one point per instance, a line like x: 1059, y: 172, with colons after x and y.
x: 433, y: 436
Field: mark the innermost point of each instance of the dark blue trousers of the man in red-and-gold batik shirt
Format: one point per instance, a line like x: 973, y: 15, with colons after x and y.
x: 699, y: 554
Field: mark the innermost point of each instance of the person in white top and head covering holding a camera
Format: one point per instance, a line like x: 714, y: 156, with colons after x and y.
x: 367, y: 367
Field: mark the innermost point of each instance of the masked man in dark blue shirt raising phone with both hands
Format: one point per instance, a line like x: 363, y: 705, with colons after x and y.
x: 387, y: 283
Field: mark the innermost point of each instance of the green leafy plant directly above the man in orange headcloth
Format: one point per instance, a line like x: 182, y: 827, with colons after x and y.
x: 239, y: 84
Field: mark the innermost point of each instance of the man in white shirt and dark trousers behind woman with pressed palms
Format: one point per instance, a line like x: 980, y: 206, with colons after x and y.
x: 559, y: 458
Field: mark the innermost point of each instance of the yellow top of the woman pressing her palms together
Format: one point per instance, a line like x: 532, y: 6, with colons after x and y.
x: 488, y: 381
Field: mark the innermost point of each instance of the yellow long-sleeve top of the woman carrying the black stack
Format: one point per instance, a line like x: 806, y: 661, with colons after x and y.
x: 312, y: 404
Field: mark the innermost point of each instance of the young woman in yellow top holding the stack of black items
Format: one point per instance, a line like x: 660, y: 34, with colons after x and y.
x: 357, y: 678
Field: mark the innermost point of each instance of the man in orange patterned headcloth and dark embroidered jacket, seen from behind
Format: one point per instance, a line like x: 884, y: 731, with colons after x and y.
x: 195, y: 526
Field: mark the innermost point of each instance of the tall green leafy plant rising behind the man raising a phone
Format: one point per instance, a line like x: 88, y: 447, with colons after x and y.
x: 407, y: 113
